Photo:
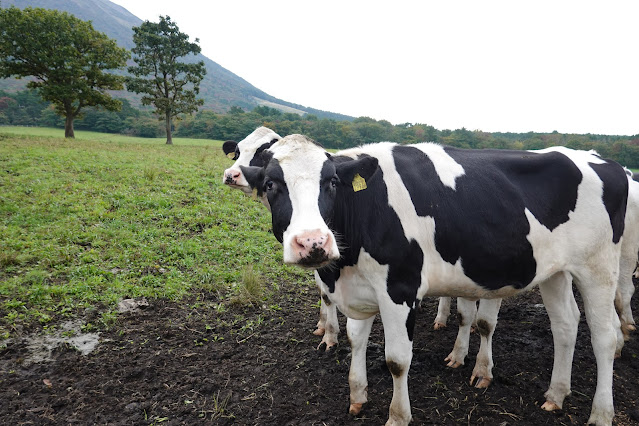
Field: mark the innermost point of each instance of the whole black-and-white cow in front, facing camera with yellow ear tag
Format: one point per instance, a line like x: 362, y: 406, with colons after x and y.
x: 422, y: 220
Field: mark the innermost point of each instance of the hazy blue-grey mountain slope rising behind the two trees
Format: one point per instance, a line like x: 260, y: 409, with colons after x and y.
x: 220, y: 89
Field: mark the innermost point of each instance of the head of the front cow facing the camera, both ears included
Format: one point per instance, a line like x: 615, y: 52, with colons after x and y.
x: 301, y: 182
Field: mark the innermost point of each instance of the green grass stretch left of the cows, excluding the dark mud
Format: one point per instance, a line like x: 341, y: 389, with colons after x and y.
x: 86, y: 222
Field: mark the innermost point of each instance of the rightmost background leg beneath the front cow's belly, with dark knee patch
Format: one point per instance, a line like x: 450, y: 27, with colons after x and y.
x: 486, y: 322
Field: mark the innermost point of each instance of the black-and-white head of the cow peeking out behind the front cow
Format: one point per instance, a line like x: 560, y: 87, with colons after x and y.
x: 247, y: 153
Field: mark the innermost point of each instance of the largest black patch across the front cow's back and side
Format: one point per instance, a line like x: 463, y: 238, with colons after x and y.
x: 482, y: 222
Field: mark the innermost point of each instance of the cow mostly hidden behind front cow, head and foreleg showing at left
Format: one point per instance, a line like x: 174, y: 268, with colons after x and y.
x: 248, y: 152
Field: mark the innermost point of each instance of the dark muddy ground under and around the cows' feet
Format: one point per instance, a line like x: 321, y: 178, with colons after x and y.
x: 187, y: 363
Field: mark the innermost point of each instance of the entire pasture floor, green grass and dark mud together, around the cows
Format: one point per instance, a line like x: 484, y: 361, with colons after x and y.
x: 225, y: 335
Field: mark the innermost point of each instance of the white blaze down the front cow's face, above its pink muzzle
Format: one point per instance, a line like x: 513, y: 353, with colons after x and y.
x: 303, y: 181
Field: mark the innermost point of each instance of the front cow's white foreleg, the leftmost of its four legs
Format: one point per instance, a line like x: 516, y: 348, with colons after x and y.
x: 358, y: 332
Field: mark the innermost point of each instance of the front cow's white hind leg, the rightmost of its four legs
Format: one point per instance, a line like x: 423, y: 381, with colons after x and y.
x: 597, y: 287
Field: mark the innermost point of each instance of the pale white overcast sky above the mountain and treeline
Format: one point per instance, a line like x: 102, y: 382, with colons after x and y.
x: 496, y: 66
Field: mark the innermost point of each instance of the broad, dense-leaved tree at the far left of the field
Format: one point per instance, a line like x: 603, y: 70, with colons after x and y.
x: 67, y: 58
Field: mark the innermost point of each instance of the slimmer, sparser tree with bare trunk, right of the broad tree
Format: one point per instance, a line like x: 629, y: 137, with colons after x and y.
x: 170, y: 86
